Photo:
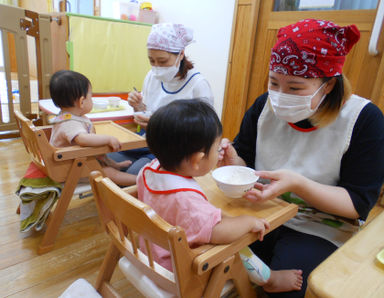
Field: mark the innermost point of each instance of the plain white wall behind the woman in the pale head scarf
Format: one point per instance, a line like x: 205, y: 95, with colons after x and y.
x: 211, y: 21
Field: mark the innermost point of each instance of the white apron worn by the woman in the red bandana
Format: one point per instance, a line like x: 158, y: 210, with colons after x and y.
x: 316, y: 155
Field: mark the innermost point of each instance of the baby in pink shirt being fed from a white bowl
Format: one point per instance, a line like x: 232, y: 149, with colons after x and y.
x: 185, y: 137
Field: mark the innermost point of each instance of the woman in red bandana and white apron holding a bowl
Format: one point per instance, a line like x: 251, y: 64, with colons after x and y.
x: 313, y: 143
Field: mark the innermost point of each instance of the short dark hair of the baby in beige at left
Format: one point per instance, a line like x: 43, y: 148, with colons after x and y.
x: 67, y: 86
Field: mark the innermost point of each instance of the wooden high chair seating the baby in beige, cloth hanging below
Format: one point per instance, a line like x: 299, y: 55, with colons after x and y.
x: 67, y: 165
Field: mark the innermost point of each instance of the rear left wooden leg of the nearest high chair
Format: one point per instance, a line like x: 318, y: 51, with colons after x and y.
x: 107, y: 268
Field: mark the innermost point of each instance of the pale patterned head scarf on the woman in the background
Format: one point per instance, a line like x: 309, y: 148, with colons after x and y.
x: 169, y: 37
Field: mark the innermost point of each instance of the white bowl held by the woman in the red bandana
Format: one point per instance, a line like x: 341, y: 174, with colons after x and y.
x: 234, y: 181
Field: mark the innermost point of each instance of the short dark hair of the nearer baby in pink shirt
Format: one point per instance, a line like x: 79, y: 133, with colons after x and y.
x: 180, y: 129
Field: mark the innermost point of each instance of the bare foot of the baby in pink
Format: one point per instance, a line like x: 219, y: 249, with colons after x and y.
x: 284, y: 281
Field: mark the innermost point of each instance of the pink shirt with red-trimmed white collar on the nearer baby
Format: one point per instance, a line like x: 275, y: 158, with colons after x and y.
x: 181, y: 202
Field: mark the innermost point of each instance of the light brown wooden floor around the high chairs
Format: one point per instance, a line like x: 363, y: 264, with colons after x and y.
x: 79, y: 250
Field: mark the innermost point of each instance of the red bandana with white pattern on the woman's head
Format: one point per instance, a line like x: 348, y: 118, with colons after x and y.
x: 312, y: 48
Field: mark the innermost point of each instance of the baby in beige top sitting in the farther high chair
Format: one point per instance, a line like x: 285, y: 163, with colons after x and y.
x: 72, y: 93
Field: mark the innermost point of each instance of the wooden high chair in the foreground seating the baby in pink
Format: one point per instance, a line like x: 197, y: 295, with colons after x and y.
x: 196, y: 272
